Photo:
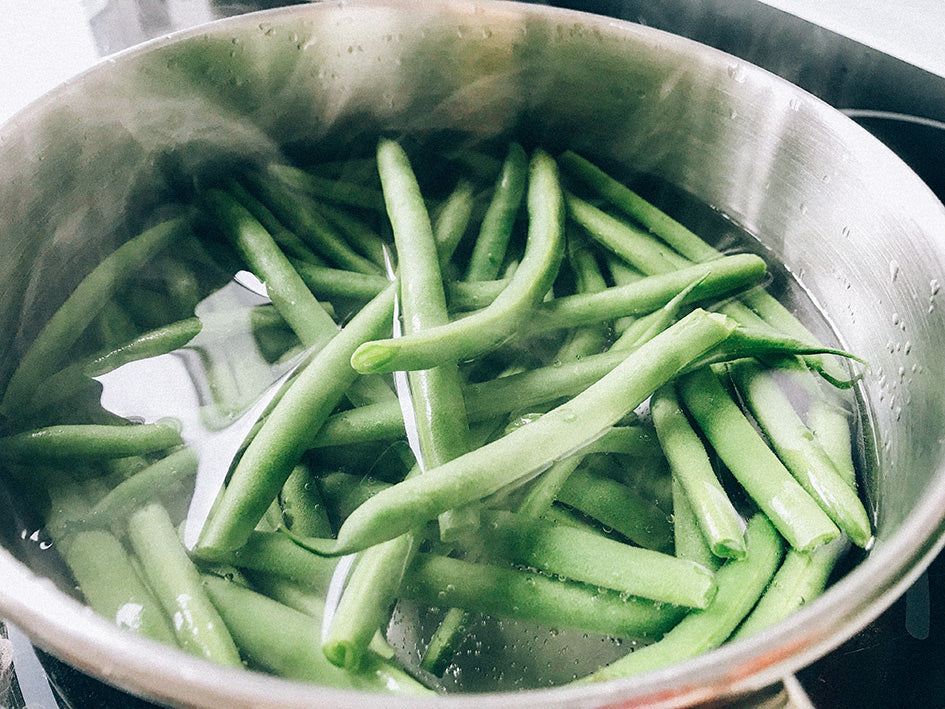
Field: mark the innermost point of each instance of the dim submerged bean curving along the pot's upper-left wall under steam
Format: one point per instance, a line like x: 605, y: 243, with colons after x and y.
x: 47, y: 352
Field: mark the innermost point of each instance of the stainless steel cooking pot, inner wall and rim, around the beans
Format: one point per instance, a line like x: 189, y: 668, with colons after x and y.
x: 863, y: 235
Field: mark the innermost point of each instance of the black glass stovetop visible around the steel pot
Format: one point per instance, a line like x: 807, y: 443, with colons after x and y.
x: 899, y: 659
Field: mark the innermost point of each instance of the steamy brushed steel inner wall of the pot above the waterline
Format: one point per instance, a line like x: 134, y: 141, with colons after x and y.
x: 86, y: 167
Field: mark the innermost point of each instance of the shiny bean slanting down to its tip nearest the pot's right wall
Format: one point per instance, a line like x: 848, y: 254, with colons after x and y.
x: 800, y: 452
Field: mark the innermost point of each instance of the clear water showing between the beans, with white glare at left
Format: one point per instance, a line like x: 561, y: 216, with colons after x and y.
x: 218, y: 385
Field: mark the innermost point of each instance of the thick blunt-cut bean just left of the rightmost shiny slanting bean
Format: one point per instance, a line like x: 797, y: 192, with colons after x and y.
x: 758, y: 470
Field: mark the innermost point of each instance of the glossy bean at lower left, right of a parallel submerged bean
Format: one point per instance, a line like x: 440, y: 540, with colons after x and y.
x: 176, y: 584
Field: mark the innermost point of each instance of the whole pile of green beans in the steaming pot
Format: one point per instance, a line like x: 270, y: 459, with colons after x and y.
x: 525, y: 394
